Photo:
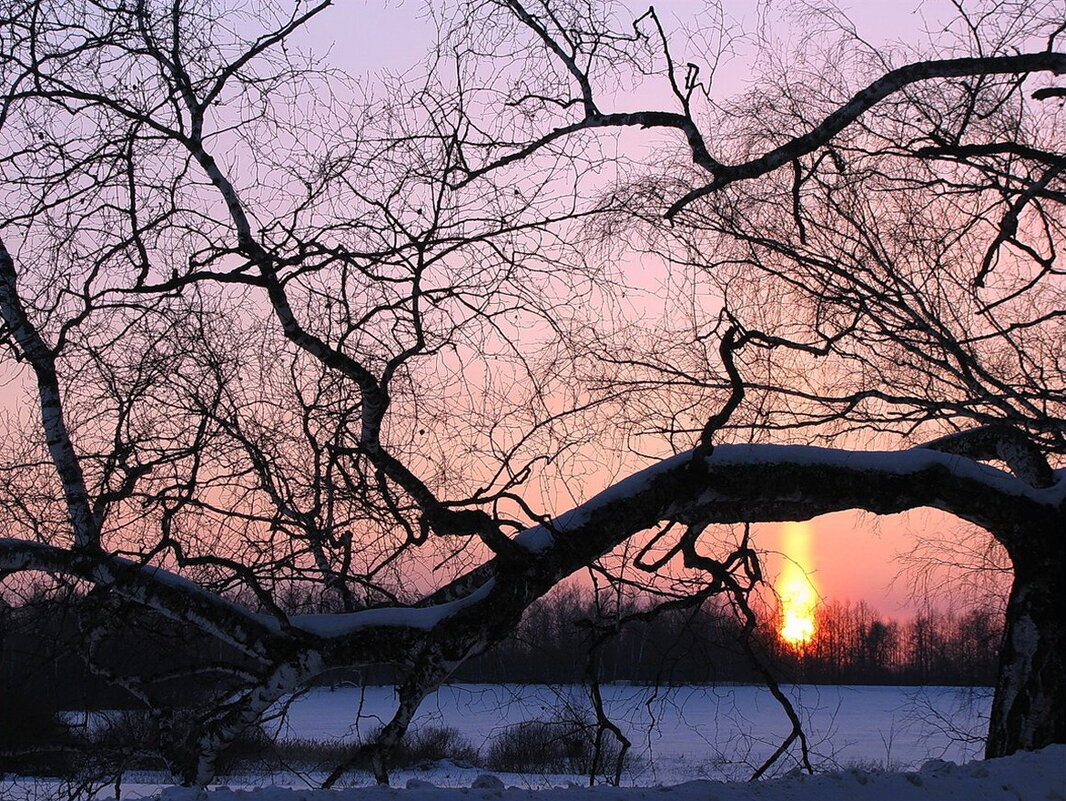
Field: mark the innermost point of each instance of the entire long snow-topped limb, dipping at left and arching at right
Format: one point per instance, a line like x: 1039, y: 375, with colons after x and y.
x: 734, y: 484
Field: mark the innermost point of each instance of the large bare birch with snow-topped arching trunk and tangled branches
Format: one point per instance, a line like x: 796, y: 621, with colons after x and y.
x: 278, y: 334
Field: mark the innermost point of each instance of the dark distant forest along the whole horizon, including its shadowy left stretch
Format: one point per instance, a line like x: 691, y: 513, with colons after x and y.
x: 43, y: 645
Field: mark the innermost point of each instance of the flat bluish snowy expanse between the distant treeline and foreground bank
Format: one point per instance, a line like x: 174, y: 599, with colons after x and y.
x: 685, y: 733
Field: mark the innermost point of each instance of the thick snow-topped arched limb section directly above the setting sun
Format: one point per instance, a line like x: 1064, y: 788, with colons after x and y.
x: 738, y: 484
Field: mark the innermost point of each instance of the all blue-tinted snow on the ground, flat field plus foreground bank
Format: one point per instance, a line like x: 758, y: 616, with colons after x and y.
x: 682, y: 738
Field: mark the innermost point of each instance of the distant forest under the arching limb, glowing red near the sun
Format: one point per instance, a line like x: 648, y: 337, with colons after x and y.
x: 853, y: 646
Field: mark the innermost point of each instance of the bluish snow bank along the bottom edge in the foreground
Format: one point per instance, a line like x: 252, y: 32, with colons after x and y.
x: 1038, y: 776
